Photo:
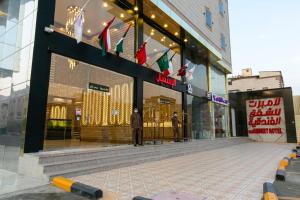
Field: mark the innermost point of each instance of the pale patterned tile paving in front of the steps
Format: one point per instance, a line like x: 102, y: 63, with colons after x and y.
x: 232, y: 173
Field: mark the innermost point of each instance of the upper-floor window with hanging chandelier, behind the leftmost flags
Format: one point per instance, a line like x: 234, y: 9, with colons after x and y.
x: 96, y: 15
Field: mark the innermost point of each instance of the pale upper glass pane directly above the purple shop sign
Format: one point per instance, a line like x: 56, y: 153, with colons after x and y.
x: 218, y: 82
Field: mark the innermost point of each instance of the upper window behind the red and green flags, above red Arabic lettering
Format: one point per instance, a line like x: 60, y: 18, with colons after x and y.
x: 157, y: 45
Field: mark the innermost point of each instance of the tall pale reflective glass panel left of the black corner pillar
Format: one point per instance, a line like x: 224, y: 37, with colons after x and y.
x: 17, y: 31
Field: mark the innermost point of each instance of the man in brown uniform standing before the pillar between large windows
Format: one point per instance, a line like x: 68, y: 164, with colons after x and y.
x: 136, y: 125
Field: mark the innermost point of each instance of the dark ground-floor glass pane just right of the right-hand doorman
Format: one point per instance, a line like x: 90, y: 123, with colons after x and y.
x: 199, y: 120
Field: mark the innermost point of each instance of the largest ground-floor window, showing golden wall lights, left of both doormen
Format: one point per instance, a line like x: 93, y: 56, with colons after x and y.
x: 87, y: 105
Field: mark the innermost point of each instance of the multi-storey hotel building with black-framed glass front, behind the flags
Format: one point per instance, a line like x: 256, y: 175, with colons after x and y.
x: 55, y: 93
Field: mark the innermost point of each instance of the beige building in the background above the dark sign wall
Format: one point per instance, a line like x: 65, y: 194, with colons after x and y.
x: 249, y: 82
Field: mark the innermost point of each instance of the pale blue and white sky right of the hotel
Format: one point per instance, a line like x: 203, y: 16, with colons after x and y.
x: 265, y: 35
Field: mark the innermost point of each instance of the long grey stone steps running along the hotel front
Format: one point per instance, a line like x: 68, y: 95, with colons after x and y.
x: 75, y: 162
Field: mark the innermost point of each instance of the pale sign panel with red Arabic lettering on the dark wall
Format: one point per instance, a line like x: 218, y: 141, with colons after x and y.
x: 266, y: 120
